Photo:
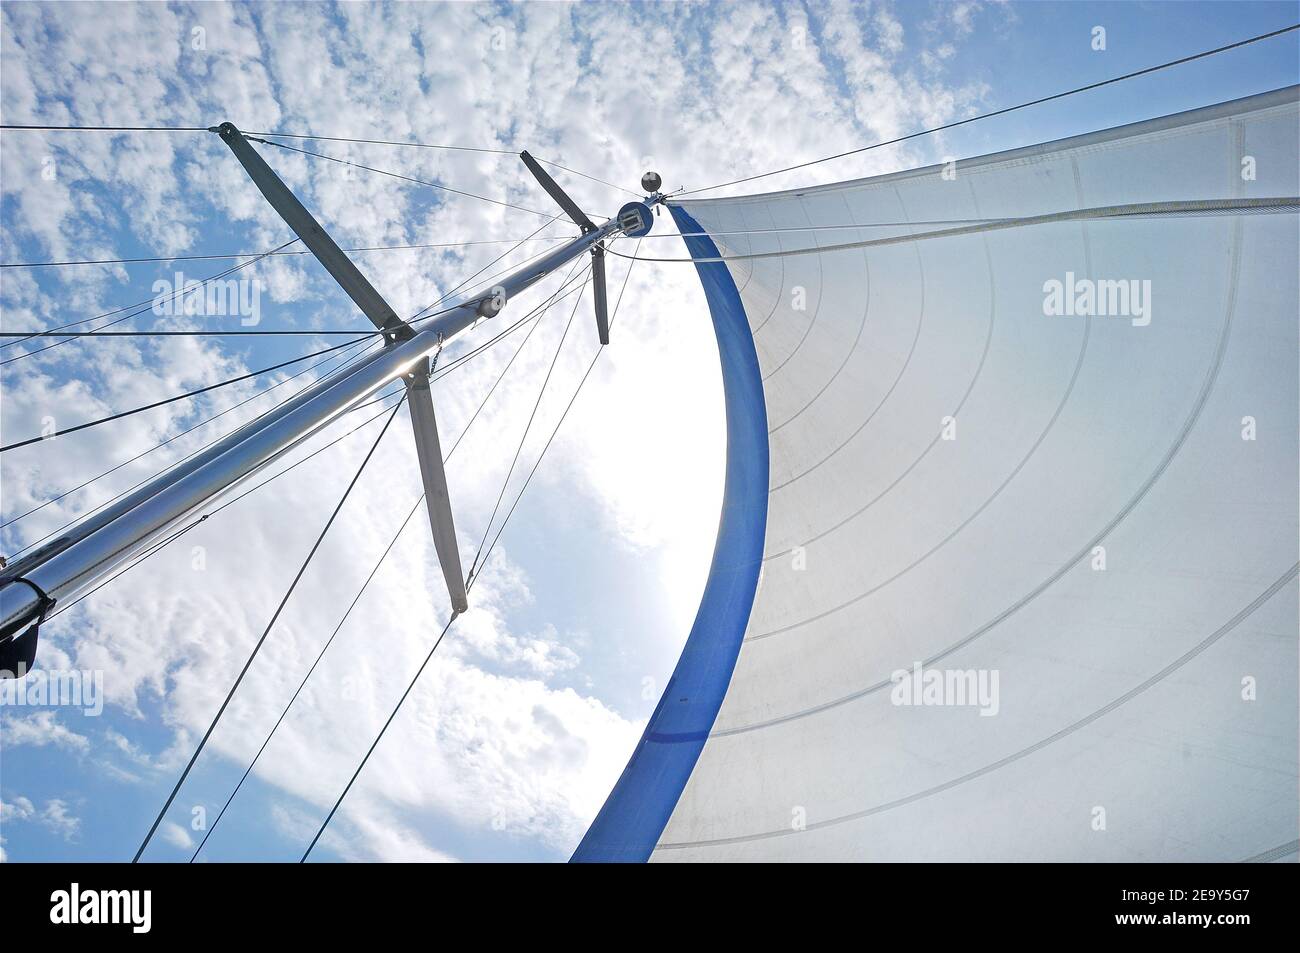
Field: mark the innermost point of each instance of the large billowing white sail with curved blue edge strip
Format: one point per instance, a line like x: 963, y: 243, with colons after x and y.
x: 1028, y: 522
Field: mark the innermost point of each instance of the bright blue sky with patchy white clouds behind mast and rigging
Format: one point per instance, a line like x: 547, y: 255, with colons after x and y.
x: 526, y: 717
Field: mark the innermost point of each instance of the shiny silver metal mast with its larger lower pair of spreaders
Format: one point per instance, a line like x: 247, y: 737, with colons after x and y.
x: 36, y: 584
